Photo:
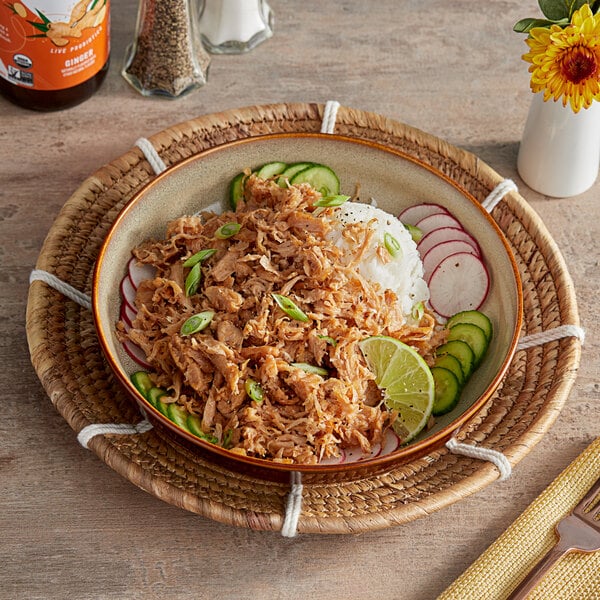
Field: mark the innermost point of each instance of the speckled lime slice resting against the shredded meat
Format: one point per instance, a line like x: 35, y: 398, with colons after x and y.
x: 405, y: 380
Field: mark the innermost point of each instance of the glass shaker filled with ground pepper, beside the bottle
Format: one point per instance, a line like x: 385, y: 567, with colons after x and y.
x: 166, y: 57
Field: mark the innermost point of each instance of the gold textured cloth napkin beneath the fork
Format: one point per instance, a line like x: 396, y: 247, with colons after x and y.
x: 504, y: 564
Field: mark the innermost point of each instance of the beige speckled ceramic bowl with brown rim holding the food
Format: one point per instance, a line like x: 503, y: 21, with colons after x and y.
x: 395, y: 181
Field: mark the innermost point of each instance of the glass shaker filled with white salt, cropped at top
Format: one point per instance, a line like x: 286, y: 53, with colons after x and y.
x: 234, y: 26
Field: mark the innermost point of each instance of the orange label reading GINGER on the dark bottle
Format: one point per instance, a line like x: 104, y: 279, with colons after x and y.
x: 53, y: 44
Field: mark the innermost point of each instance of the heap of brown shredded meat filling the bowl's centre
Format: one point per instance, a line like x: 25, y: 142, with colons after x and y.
x: 280, y: 248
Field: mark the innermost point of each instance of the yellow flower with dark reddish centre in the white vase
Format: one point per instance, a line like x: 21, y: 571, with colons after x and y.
x: 565, y: 62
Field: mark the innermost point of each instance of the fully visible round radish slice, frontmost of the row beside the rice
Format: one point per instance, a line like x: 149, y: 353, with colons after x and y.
x: 460, y: 282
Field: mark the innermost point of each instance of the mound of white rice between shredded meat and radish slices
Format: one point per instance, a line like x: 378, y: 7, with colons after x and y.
x: 403, y: 274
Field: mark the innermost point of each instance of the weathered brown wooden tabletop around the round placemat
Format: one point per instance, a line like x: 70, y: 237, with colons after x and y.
x: 70, y: 527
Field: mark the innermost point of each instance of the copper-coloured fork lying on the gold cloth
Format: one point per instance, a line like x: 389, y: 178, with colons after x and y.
x: 580, y: 530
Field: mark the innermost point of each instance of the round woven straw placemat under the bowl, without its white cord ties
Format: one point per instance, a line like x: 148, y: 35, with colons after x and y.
x: 68, y: 360
